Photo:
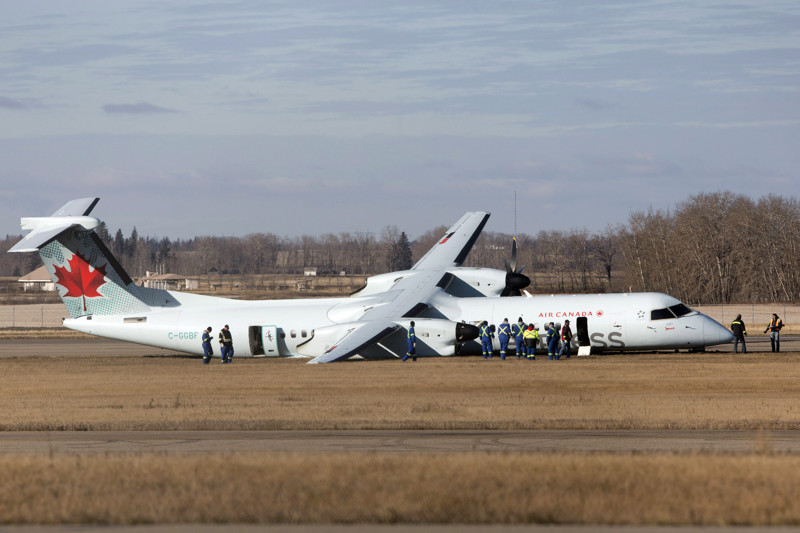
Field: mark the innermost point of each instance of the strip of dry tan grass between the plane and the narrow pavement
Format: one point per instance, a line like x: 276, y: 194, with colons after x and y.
x: 645, y: 391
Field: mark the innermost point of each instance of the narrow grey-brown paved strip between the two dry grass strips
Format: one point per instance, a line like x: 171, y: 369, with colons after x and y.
x: 192, y: 442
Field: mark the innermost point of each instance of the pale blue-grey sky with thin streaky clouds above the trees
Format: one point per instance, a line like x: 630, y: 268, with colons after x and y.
x: 311, y: 117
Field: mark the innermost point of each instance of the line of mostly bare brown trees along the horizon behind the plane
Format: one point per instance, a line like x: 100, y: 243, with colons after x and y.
x: 711, y: 248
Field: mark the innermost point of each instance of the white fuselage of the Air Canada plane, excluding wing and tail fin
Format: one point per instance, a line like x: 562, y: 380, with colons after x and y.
x: 282, y: 327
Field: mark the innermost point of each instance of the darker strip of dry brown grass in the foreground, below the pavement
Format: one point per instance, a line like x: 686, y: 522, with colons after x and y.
x: 463, y: 488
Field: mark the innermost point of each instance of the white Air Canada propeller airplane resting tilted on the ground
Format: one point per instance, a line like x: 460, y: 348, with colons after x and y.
x: 445, y: 300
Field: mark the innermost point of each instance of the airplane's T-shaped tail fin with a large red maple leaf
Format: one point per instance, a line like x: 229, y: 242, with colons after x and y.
x: 87, y: 276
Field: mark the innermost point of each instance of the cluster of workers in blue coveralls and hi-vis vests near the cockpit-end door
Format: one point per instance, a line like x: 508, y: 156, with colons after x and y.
x: 526, y: 338
